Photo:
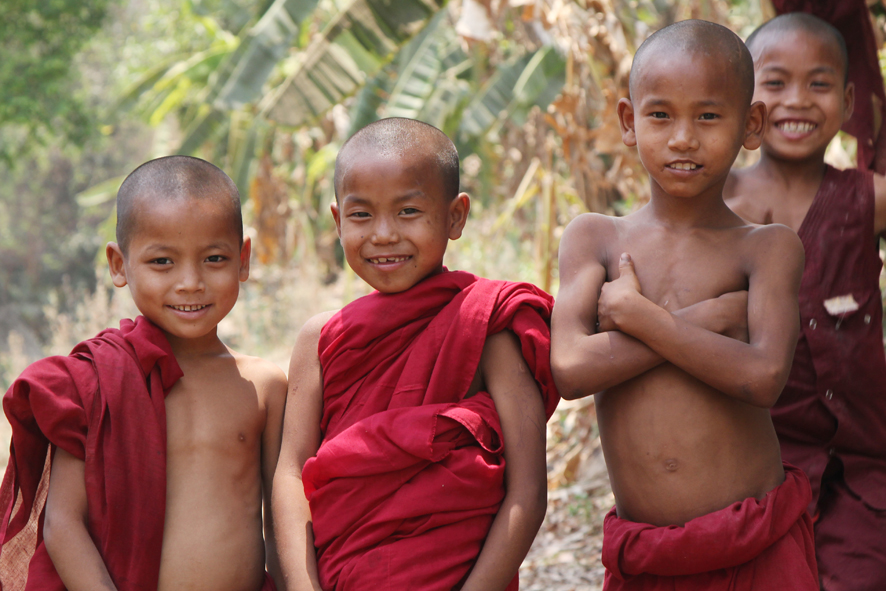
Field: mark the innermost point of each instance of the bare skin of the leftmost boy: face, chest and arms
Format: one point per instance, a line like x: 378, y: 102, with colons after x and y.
x: 224, y: 418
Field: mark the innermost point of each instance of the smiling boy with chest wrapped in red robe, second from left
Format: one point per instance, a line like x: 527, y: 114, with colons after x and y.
x: 413, y: 452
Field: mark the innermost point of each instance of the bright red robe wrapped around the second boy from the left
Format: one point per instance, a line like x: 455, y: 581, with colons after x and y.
x: 410, y: 474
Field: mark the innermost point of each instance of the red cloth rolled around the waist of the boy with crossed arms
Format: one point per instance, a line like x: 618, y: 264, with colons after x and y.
x: 751, y: 545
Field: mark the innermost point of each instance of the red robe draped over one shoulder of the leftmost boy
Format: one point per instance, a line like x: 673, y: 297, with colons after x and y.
x: 105, y: 404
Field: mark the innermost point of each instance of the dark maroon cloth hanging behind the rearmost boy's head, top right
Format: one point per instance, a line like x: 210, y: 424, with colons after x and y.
x: 853, y: 19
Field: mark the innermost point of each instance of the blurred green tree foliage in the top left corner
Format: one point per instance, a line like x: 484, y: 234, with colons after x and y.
x: 39, y: 93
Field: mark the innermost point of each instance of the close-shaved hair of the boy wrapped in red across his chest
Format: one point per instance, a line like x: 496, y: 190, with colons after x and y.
x: 401, y: 138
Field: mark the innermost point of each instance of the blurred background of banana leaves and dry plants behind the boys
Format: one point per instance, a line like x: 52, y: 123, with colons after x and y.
x: 268, y: 90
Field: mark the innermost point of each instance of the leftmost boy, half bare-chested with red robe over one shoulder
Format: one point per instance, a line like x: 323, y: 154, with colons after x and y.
x: 164, y: 441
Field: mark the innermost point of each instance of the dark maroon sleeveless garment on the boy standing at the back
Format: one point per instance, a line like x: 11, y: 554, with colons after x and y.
x: 831, y: 416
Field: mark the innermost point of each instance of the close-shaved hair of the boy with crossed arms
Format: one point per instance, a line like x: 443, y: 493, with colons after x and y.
x: 704, y: 39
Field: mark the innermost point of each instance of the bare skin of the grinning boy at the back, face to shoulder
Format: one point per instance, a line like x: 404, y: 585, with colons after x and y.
x: 799, y: 76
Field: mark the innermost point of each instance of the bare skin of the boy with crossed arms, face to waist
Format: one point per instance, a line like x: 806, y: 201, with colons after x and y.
x: 682, y: 396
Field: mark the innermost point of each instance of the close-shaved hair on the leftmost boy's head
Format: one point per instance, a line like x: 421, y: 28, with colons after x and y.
x: 173, y: 178
